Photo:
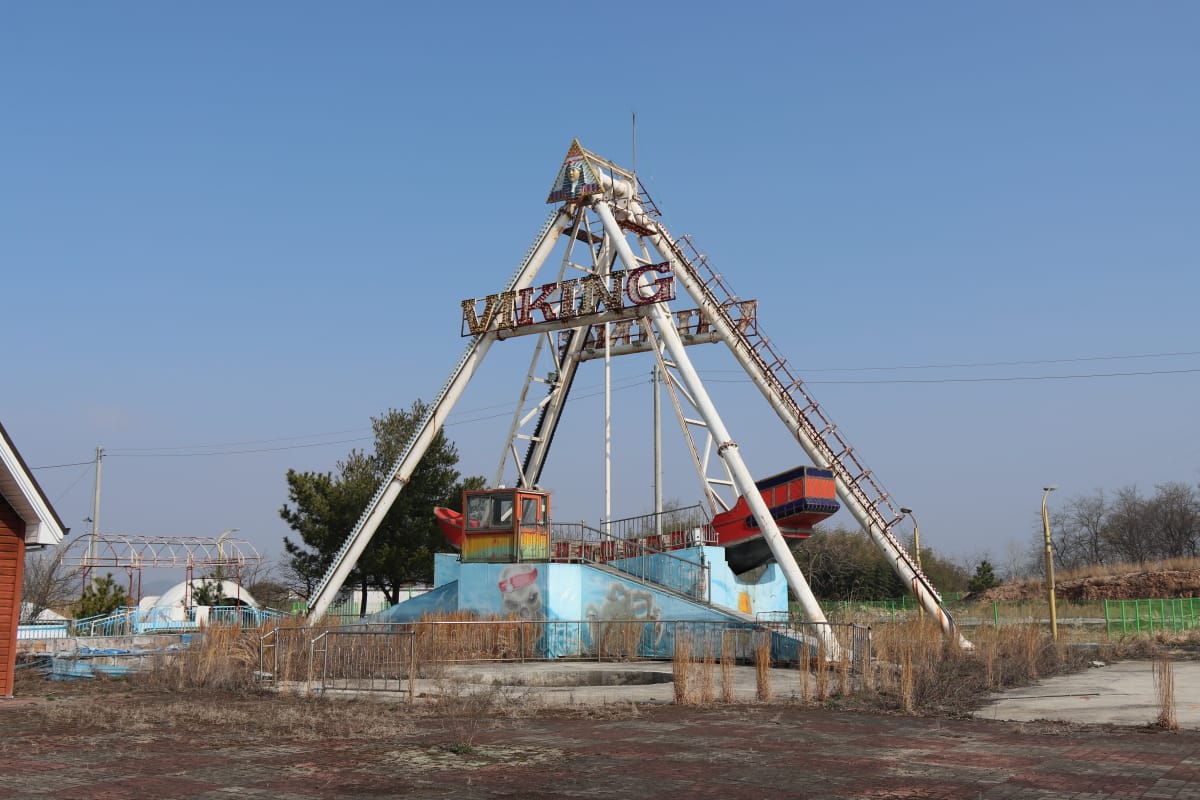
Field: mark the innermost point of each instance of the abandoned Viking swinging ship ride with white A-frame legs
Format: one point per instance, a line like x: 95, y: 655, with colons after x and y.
x: 620, y: 273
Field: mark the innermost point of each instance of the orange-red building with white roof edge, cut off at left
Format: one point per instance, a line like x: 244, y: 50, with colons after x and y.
x: 27, y: 521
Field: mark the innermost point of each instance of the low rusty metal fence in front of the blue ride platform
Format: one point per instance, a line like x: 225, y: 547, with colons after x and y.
x: 393, y: 657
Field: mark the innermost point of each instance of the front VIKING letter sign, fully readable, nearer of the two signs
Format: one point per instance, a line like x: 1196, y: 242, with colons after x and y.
x: 568, y: 300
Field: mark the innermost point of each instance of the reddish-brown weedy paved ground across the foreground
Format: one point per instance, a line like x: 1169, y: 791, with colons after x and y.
x: 98, y: 742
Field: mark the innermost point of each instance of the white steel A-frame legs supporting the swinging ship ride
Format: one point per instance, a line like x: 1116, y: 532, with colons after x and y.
x: 622, y: 207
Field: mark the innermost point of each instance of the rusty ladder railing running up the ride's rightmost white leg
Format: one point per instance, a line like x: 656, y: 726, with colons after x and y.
x: 805, y: 410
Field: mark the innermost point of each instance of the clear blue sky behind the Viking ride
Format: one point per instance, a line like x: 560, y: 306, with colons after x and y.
x: 232, y: 227
